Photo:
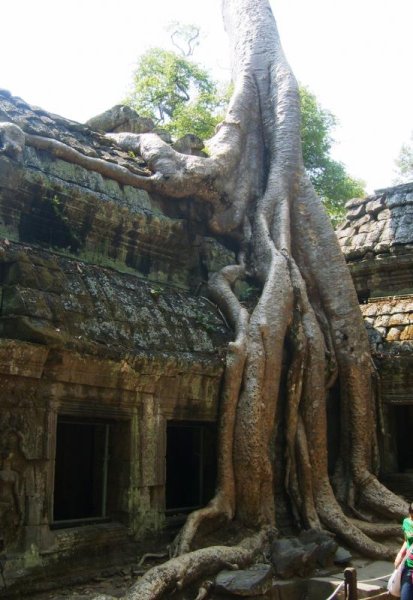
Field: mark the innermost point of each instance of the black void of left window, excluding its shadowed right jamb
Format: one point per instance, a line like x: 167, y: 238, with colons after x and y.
x: 81, y: 470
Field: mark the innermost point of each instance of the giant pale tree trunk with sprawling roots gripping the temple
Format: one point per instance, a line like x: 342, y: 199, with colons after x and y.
x: 260, y: 195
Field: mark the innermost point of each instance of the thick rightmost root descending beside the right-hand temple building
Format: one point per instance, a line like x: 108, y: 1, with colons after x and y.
x: 358, y: 436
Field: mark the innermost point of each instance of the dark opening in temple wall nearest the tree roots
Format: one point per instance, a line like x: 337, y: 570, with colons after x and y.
x: 190, y: 465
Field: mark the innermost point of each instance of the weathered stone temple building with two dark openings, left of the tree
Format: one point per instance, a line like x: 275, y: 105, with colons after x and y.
x: 107, y: 346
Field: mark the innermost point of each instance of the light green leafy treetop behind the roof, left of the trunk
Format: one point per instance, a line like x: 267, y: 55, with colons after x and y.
x: 176, y: 93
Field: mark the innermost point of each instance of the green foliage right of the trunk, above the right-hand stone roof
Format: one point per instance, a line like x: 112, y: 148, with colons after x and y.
x: 328, y: 176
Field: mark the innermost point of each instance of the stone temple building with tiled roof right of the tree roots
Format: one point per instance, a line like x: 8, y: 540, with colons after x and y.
x: 377, y: 240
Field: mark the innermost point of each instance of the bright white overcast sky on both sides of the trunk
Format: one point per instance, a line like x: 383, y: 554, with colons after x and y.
x: 76, y: 57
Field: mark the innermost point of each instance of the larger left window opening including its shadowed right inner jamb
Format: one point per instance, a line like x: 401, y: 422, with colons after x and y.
x: 91, y: 462
